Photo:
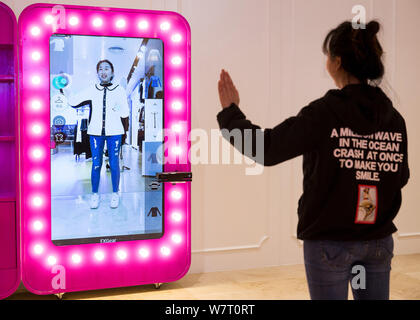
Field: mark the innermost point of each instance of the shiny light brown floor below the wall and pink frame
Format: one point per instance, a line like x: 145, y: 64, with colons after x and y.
x: 272, y: 283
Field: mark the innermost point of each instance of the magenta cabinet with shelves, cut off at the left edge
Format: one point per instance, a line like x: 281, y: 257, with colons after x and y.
x: 9, y: 221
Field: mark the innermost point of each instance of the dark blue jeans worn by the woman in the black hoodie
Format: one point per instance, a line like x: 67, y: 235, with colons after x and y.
x: 332, y: 265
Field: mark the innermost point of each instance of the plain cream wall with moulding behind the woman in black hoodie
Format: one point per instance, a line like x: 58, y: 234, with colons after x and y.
x: 272, y: 48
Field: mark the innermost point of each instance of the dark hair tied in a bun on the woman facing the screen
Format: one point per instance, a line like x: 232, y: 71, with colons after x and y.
x: 359, y: 50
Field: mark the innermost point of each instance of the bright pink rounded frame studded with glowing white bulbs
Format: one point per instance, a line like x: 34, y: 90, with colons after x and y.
x: 50, y: 269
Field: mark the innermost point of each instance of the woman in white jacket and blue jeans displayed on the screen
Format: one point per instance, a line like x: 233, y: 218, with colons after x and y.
x: 108, y: 121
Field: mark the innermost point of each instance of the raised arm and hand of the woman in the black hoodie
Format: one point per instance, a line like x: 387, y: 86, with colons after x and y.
x: 291, y: 138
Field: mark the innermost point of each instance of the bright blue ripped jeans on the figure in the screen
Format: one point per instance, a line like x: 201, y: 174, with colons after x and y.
x: 97, y: 147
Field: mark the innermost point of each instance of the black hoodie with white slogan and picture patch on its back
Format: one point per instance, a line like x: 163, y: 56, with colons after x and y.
x: 354, y: 147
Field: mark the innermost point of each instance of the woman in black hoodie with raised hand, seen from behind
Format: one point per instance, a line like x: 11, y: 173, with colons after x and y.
x: 344, y: 138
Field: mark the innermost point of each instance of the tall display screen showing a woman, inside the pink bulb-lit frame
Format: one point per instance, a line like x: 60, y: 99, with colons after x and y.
x: 106, y: 97
